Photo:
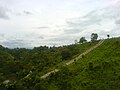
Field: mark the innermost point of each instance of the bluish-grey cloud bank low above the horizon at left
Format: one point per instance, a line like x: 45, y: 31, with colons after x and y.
x: 22, y: 41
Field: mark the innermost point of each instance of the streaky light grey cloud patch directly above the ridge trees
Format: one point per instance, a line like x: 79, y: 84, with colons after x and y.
x: 80, y: 24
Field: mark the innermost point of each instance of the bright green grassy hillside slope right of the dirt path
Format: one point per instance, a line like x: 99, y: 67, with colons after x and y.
x: 98, y: 70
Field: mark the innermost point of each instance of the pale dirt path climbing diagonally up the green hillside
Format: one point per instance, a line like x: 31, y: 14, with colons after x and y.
x: 75, y: 59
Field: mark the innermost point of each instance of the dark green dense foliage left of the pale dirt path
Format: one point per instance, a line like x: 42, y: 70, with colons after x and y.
x: 21, y: 69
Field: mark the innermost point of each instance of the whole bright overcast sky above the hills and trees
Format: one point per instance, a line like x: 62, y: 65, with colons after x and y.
x: 31, y: 23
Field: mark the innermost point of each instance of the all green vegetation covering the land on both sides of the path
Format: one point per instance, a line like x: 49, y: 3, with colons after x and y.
x: 98, y: 70
